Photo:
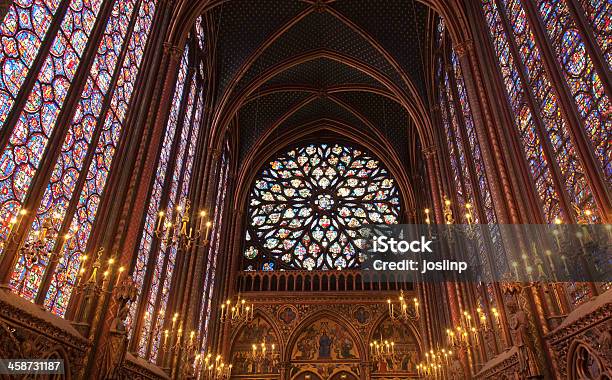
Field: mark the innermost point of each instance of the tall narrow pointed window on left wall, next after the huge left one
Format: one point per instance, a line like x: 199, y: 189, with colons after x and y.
x: 155, y: 261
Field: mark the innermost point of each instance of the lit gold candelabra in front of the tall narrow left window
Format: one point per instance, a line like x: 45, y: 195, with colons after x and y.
x: 178, y: 229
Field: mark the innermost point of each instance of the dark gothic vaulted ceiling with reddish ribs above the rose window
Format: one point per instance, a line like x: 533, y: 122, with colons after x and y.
x: 283, y: 64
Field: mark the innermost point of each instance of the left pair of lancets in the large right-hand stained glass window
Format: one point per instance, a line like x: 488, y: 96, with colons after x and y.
x: 541, y: 126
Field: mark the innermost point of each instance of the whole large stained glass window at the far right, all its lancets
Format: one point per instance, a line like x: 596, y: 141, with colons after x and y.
x: 558, y: 103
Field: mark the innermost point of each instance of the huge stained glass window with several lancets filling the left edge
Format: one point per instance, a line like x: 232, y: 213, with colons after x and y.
x: 69, y: 70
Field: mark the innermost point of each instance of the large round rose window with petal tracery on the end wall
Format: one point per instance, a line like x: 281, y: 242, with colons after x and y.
x: 307, y: 207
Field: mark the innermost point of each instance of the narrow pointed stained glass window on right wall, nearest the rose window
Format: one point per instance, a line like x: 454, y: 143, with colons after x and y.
x: 470, y: 185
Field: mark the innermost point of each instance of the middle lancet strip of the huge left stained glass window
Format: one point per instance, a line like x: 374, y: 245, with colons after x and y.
x: 28, y: 141
